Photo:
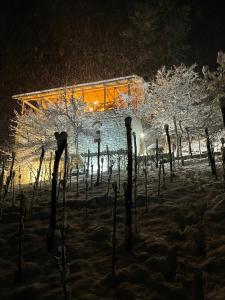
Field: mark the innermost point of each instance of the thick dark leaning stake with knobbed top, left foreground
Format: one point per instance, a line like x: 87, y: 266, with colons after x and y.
x: 61, y: 139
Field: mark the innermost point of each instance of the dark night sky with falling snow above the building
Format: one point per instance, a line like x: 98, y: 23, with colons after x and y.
x: 50, y: 43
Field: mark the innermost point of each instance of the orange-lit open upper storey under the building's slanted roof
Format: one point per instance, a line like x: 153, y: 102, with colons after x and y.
x: 98, y: 96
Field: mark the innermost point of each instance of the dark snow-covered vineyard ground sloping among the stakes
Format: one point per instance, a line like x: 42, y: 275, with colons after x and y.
x: 178, y: 247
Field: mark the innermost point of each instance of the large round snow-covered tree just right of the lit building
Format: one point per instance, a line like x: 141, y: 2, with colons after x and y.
x: 178, y: 93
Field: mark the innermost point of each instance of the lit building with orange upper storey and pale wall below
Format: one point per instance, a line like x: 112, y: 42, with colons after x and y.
x: 106, y: 104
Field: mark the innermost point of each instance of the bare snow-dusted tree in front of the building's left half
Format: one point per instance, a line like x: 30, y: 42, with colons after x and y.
x: 32, y: 130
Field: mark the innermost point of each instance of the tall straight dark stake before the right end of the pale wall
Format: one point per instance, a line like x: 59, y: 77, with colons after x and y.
x: 128, y: 194
